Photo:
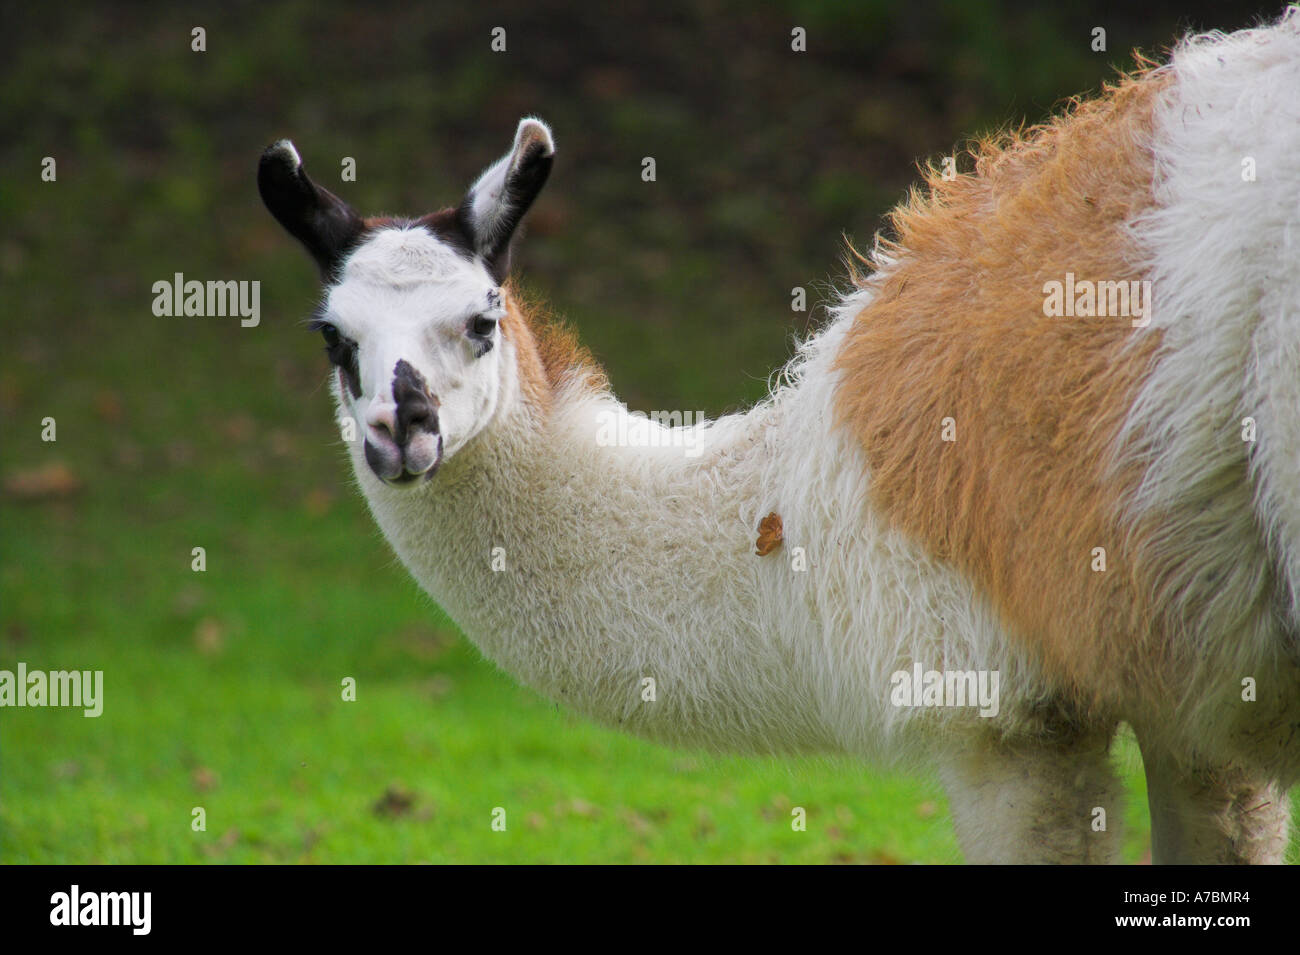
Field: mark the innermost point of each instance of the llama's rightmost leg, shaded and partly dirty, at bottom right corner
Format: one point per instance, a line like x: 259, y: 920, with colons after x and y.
x: 1204, y: 817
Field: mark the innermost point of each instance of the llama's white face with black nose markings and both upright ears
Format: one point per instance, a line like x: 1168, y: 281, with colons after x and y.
x: 413, y: 307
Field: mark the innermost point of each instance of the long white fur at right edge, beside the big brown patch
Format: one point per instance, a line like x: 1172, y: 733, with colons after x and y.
x: 1225, y: 267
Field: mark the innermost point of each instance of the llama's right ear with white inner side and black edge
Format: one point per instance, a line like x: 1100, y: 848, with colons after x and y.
x: 497, y: 202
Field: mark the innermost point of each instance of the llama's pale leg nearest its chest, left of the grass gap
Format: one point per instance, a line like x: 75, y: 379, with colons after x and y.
x: 1035, y: 804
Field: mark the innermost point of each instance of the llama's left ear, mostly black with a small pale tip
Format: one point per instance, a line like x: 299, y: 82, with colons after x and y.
x: 317, y: 218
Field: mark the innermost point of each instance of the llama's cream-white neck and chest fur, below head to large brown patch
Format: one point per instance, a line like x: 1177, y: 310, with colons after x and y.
x: 747, y: 653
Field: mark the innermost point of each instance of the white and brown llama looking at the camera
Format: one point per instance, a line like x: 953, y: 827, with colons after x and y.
x: 982, y: 465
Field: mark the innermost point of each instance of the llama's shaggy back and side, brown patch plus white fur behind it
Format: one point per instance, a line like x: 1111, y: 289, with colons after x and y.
x: 1073, y: 380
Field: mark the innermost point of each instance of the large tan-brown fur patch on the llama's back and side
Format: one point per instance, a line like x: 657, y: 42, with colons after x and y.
x: 1024, y: 496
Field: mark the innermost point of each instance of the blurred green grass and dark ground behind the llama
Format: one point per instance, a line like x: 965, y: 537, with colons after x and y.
x: 223, y: 687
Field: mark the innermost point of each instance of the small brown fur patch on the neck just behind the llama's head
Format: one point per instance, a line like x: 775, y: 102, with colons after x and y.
x: 551, y: 357
